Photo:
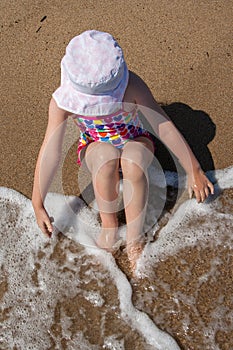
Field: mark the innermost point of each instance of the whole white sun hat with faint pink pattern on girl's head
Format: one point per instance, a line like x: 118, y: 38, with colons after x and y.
x: 94, y: 75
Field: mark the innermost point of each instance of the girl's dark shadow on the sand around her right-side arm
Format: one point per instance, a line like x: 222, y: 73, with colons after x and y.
x: 198, y: 130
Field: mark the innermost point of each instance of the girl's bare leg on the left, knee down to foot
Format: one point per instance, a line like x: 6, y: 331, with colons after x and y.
x: 102, y: 160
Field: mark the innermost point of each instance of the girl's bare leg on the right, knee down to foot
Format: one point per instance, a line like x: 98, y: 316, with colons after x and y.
x: 136, y: 157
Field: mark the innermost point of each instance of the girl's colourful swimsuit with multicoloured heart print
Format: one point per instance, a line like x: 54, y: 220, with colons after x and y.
x: 116, y: 129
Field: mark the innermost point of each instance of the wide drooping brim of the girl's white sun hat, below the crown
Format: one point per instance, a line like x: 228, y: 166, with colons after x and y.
x: 70, y: 99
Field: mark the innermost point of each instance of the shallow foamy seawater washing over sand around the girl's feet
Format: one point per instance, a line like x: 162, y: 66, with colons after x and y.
x: 64, y: 293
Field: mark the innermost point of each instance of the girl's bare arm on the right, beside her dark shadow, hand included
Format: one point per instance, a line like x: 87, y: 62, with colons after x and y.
x: 172, y: 138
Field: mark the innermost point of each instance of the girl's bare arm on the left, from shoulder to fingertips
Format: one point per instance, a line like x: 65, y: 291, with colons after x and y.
x: 47, y: 164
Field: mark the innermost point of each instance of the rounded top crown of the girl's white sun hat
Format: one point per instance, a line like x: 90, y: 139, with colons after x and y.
x: 93, y: 59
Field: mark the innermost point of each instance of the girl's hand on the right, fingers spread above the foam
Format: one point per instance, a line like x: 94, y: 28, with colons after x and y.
x: 200, y: 185
